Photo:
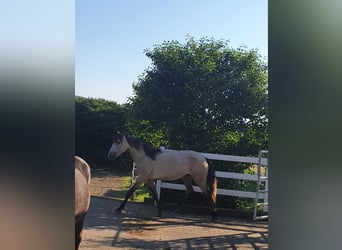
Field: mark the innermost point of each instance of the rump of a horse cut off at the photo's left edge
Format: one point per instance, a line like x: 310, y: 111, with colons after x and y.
x: 82, y: 196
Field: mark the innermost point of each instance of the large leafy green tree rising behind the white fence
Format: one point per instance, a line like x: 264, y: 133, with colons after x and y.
x: 204, y: 95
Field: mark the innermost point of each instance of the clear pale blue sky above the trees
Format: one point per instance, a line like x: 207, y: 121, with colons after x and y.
x: 111, y: 36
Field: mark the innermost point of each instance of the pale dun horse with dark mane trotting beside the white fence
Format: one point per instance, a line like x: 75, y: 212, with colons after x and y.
x: 154, y: 164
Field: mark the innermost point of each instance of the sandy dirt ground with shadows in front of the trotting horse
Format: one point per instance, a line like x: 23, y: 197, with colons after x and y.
x: 138, y: 227
